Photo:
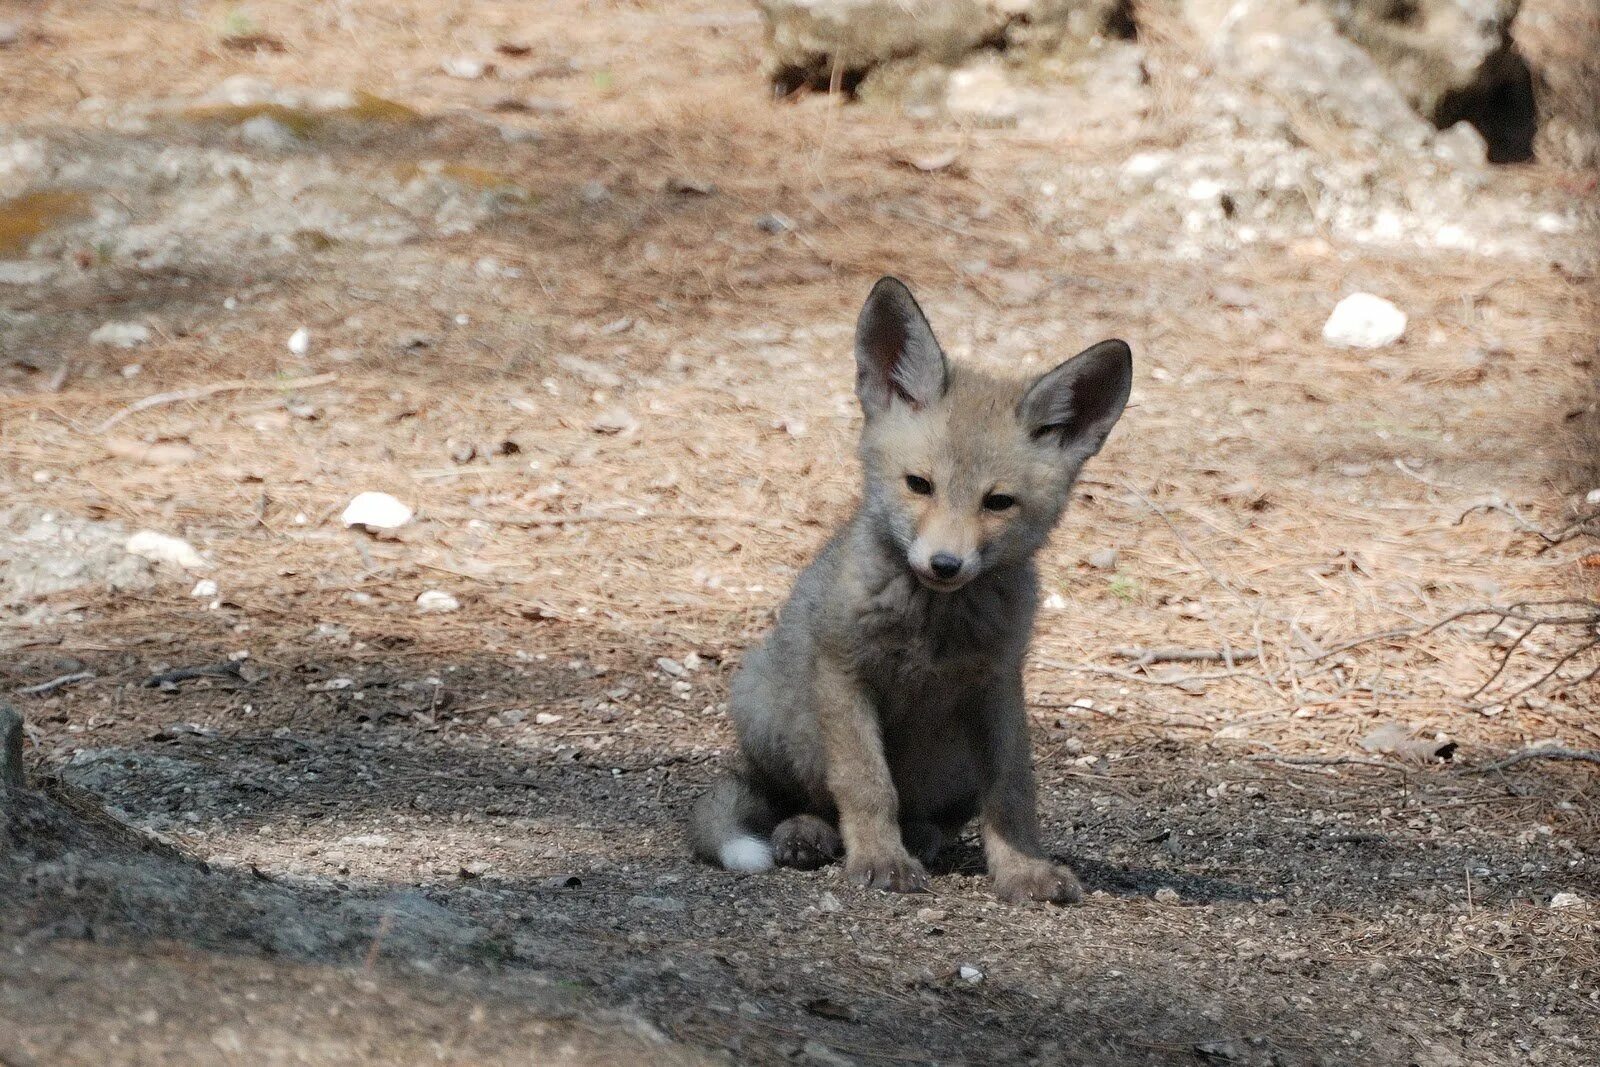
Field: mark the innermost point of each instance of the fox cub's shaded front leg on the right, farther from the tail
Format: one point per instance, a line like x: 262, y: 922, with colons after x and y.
x: 1010, y: 810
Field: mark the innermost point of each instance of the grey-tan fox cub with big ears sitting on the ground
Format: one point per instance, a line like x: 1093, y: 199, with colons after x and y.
x: 886, y: 709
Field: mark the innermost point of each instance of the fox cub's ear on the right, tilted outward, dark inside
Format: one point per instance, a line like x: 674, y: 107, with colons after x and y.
x: 1079, y: 402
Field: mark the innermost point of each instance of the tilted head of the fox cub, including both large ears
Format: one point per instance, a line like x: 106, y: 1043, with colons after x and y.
x: 967, y: 473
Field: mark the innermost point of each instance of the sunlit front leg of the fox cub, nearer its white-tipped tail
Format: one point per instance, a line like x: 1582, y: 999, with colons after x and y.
x: 858, y: 778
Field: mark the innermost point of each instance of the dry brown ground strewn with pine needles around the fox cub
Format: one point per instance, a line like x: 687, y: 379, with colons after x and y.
x: 396, y: 837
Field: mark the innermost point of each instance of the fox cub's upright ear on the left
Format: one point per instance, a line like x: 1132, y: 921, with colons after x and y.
x: 897, y: 356
